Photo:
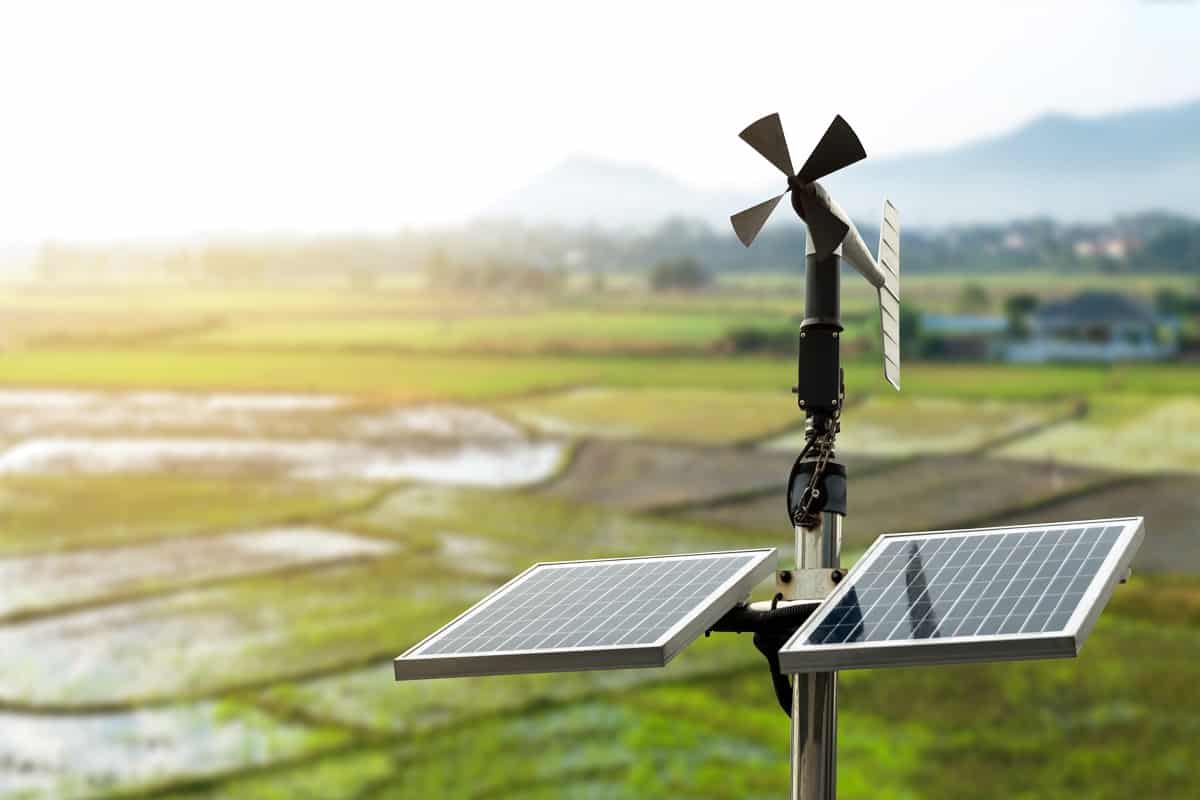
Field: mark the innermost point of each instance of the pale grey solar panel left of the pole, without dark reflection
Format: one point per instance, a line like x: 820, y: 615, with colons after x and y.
x: 597, y: 615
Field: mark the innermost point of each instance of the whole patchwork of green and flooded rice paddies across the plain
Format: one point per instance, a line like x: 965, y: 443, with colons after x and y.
x: 224, y: 513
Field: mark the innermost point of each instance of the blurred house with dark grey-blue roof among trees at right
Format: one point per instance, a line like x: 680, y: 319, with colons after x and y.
x: 1096, y: 327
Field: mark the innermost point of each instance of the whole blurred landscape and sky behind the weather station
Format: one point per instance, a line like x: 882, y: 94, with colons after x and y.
x: 319, y: 322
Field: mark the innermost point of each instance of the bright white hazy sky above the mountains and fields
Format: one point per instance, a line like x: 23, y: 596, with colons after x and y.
x: 131, y: 121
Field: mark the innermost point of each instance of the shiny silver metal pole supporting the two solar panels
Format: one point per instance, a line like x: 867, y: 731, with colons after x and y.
x: 815, y: 695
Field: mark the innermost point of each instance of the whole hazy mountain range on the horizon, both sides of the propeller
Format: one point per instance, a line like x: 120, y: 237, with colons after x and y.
x: 1071, y: 169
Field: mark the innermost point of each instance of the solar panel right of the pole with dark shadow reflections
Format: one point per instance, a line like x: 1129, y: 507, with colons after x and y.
x: 991, y: 594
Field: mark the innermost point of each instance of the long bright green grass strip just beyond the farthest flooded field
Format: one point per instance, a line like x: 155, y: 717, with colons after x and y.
x: 419, y: 377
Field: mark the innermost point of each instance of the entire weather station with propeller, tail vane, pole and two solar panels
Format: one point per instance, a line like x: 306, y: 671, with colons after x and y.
x: 914, y: 599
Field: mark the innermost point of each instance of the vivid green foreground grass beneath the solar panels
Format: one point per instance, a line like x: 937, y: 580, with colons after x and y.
x: 1046, y: 729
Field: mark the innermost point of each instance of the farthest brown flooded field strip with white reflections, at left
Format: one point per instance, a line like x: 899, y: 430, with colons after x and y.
x: 290, y: 436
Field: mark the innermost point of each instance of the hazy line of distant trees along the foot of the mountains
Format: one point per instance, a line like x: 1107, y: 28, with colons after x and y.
x: 497, y: 255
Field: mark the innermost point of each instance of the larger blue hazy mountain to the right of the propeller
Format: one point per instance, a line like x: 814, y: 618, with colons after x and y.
x: 1065, y: 167
